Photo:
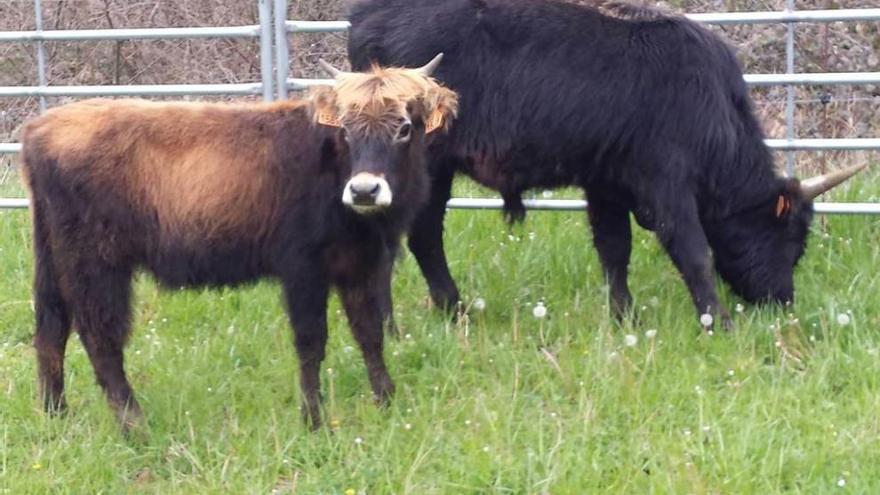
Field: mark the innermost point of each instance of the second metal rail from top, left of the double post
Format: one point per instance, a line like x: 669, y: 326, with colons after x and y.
x: 135, y: 90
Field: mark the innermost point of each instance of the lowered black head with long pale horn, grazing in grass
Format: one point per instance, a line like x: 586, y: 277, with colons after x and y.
x: 756, y: 250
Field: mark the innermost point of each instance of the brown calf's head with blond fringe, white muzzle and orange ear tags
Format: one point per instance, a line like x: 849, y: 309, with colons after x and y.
x: 385, y: 118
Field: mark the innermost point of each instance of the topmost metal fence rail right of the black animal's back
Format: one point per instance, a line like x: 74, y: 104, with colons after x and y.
x: 726, y: 18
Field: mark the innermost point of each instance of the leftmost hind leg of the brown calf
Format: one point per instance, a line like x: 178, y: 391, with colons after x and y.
x: 52, y: 319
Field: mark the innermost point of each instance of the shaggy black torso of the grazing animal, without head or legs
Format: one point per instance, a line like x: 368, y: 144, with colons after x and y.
x: 554, y: 93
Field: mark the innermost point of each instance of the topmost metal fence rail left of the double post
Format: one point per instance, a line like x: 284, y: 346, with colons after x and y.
x: 126, y: 34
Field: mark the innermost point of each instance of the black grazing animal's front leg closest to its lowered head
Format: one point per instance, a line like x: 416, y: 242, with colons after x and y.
x: 681, y: 234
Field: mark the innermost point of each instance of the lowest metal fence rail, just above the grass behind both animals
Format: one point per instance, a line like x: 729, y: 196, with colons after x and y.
x: 558, y: 205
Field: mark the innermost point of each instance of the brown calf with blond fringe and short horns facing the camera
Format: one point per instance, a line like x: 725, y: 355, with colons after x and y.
x: 203, y: 194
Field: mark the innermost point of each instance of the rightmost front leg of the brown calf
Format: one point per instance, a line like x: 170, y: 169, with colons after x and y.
x: 363, y: 307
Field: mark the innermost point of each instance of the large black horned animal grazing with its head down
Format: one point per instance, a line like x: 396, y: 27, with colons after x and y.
x: 647, y: 112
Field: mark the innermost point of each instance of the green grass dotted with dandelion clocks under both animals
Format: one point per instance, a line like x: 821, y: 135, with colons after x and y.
x: 501, y: 403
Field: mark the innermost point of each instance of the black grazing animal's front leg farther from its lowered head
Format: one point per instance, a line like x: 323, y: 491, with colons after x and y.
x: 612, y: 236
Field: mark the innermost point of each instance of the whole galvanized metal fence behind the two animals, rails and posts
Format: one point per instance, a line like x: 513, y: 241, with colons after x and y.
x: 275, y: 19
